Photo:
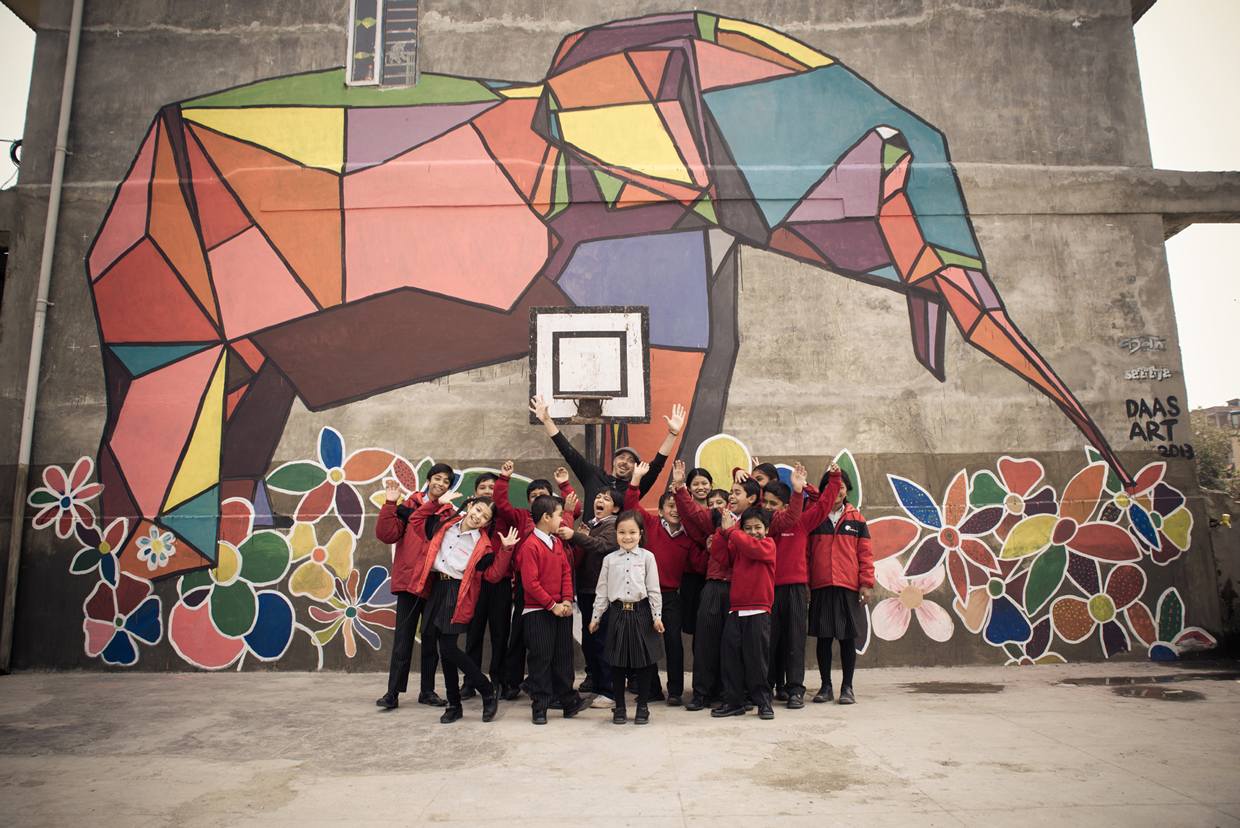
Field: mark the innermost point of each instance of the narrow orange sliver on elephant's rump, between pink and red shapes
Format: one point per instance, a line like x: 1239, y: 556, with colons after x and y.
x: 173, y: 229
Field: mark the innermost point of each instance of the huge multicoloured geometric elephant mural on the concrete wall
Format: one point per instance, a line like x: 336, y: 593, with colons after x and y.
x: 271, y: 240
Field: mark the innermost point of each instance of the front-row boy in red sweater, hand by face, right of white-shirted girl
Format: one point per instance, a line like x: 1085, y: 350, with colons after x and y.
x: 746, y: 651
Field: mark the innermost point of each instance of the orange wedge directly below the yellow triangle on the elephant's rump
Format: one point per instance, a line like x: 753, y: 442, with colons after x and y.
x: 298, y: 209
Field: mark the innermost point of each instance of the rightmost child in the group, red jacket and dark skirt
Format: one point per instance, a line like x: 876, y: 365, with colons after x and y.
x: 841, y: 577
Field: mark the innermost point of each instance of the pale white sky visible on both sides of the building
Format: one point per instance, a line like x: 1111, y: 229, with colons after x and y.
x: 1189, y: 61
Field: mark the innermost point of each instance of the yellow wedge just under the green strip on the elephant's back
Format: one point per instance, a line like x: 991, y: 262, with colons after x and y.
x: 309, y: 136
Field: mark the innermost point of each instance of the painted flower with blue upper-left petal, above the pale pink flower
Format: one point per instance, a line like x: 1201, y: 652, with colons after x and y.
x: 955, y: 526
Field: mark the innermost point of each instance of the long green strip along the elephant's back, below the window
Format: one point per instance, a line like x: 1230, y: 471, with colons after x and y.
x: 328, y: 90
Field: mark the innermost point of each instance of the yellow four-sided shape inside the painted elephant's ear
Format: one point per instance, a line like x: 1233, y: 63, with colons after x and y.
x: 631, y: 136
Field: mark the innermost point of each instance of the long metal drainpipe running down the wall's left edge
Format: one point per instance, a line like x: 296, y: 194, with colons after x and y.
x: 37, y: 340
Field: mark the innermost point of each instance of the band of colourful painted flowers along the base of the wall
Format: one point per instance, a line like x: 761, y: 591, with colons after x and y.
x: 1001, y: 556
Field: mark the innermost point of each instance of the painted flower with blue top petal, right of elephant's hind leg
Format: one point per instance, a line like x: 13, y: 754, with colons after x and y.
x: 328, y: 485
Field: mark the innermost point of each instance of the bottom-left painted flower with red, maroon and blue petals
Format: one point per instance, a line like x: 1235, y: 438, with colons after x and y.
x: 120, y: 614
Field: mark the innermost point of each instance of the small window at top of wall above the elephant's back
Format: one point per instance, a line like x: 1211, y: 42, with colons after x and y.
x: 384, y: 43
